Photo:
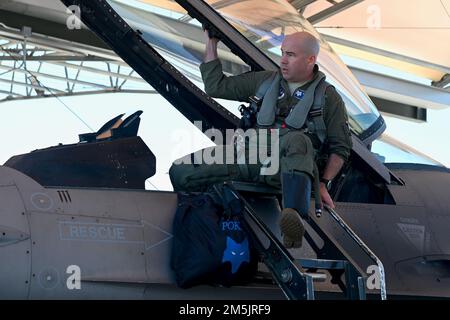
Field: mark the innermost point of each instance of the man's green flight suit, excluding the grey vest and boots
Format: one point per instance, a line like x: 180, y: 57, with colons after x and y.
x: 297, y: 150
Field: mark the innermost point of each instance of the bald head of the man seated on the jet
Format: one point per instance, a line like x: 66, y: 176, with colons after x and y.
x: 298, y: 56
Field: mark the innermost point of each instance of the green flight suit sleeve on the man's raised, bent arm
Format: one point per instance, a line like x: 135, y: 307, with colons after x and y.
x: 218, y: 85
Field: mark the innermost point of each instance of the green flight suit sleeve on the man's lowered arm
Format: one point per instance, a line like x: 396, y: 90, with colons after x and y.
x: 336, y: 120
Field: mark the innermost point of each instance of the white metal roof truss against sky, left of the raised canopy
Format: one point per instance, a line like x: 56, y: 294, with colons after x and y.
x: 37, y: 66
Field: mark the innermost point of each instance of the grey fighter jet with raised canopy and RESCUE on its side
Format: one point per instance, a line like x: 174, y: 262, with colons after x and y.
x: 77, y: 223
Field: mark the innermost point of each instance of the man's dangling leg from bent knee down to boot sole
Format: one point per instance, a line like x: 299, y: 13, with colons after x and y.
x: 296, y: 172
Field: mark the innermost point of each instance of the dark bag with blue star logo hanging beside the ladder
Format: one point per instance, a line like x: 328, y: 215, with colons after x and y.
x: 210, y: 243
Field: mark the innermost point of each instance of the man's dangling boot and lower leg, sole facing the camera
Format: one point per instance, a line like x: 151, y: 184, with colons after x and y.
x: 296, y: 199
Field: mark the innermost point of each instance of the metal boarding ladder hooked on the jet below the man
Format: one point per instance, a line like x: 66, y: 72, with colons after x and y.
x: 343, y: 252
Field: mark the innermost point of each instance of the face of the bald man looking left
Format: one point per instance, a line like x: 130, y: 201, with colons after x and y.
x: 296, y: 65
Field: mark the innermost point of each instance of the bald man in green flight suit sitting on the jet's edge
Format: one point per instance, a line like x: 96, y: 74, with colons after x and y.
x: 305, y: 136
